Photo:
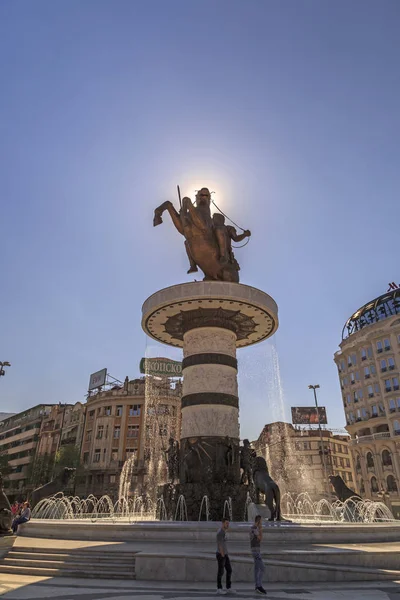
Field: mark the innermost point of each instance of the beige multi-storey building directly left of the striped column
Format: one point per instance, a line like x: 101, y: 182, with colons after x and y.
x: 134, y: 420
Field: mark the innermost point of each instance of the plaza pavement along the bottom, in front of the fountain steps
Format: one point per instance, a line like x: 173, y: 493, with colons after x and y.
x: 23, y: 587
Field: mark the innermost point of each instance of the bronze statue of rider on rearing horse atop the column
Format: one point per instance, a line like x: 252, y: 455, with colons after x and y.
x: 208, y: 241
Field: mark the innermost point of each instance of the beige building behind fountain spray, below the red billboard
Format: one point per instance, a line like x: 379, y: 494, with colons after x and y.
x: 298, y: 463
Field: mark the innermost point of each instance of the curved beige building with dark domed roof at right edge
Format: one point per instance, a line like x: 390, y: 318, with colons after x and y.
x: 368, y: 363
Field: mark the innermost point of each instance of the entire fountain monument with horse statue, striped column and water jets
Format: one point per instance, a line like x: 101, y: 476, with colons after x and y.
x: 210, y: 321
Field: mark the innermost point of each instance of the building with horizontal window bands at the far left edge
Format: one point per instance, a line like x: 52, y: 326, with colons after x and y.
x: 19, y: 438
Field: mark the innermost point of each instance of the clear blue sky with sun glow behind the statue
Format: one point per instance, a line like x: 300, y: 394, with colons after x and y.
x: 289, y: 110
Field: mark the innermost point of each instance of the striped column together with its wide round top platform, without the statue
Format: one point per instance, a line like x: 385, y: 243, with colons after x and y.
x: 210, y: 320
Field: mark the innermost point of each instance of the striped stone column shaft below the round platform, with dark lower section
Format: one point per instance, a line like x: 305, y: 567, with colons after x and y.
x: 210, y: 406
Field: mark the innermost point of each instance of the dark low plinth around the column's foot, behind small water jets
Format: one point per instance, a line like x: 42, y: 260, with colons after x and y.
x: 217, y: 494
